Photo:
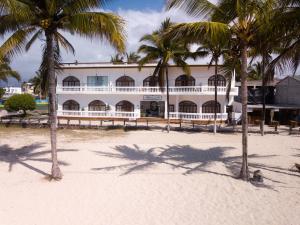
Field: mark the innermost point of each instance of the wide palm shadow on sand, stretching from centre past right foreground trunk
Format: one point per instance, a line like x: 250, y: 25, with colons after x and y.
x: 187, y: 158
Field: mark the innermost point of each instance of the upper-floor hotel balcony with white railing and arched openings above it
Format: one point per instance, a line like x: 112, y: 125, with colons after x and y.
x: 126, y: 85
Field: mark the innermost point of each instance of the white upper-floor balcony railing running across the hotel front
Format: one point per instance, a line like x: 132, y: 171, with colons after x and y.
x: 193, y: 90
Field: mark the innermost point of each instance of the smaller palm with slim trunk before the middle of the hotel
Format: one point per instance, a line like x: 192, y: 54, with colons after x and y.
x: 164, y: 51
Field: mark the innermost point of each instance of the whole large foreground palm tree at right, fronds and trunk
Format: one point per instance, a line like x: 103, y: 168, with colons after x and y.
x: 239, y: 18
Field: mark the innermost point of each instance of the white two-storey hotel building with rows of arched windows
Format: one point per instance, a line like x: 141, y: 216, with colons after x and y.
x: 101, y: 90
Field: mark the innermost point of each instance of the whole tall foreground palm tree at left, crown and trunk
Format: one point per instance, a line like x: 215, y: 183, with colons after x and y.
x: 31, y: 19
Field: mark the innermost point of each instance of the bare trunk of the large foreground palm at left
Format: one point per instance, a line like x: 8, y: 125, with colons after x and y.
x: 55, y: 172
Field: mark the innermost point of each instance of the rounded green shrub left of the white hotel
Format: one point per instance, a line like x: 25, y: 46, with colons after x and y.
x: 20, y: 102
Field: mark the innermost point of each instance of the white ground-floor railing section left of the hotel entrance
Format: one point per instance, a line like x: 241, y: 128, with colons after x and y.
x: 104, y: 114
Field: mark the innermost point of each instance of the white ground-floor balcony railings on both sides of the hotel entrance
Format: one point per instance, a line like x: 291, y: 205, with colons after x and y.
x: 136, y: 115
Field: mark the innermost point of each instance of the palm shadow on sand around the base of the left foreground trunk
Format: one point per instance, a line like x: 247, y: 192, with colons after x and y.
x: 26, y: 154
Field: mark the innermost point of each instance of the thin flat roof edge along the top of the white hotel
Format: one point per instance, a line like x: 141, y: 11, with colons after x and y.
x: 116, y: 65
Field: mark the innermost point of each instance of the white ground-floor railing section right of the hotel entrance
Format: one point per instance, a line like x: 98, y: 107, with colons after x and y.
x: 197, y: 116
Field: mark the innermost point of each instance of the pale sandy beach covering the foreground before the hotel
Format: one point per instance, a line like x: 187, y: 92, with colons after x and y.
x: 147, y: 177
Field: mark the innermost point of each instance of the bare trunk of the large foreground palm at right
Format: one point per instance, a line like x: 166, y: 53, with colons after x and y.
x: 244, y: 174
